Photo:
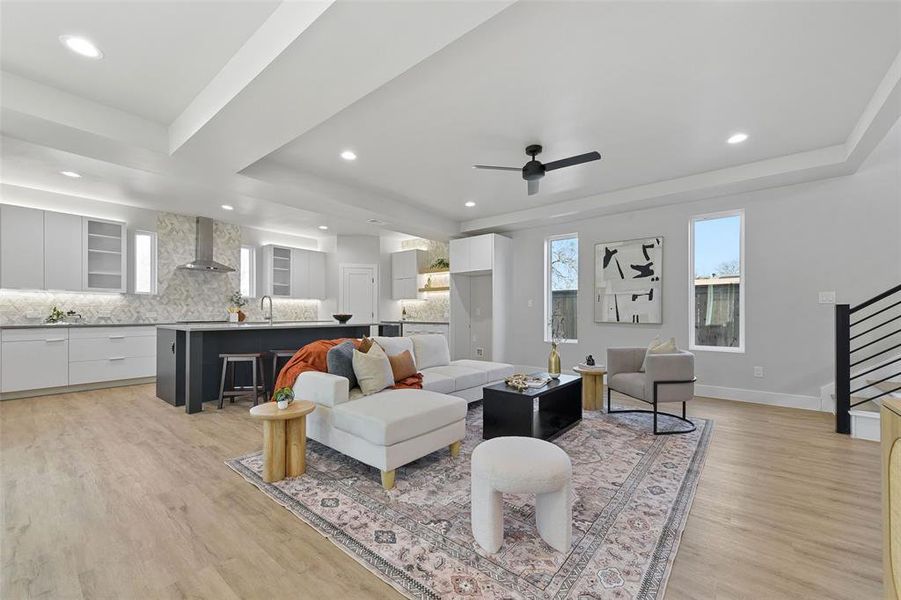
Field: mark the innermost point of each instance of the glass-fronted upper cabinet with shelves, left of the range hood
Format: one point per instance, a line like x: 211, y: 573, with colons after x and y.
x: 104, y: 255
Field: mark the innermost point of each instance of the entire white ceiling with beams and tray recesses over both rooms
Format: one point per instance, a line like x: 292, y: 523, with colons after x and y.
x: 190, y: 95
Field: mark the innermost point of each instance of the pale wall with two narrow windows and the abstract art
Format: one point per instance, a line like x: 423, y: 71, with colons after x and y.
x: 841, y: 234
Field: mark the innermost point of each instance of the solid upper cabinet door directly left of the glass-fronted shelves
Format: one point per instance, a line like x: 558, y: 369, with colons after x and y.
x: 63, y: 243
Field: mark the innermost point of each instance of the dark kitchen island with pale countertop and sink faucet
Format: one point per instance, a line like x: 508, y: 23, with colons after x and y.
x: 188, y: 361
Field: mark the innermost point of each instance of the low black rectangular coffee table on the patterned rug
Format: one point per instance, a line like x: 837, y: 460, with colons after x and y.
x: 543, y: 413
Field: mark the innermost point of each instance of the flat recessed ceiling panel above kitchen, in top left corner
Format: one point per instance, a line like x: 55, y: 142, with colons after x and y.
x: 157, y: 55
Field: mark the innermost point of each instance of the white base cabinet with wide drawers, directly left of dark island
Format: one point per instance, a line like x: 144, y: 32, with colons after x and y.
x: 98, y: 354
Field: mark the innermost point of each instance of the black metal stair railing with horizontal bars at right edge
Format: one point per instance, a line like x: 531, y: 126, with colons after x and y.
x: 848, y: 329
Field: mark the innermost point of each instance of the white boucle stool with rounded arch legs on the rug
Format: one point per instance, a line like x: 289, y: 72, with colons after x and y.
x: 520, y: 465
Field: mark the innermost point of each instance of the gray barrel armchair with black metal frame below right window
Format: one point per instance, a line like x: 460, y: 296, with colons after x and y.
x: 667, y: 378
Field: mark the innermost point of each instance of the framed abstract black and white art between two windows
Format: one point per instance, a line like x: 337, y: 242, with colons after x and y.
x: 628, y: 281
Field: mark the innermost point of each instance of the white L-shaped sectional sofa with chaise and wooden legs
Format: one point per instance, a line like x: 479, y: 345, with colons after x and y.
x: 391, y: 428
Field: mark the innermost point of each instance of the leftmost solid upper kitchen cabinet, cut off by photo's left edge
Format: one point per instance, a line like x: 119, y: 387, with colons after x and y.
x: 21, y: 248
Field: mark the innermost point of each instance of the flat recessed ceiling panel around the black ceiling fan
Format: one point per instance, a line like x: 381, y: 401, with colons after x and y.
x: 656, y: 89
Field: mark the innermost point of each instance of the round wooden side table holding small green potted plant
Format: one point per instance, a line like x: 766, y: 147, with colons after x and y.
x: 284, y: 438
